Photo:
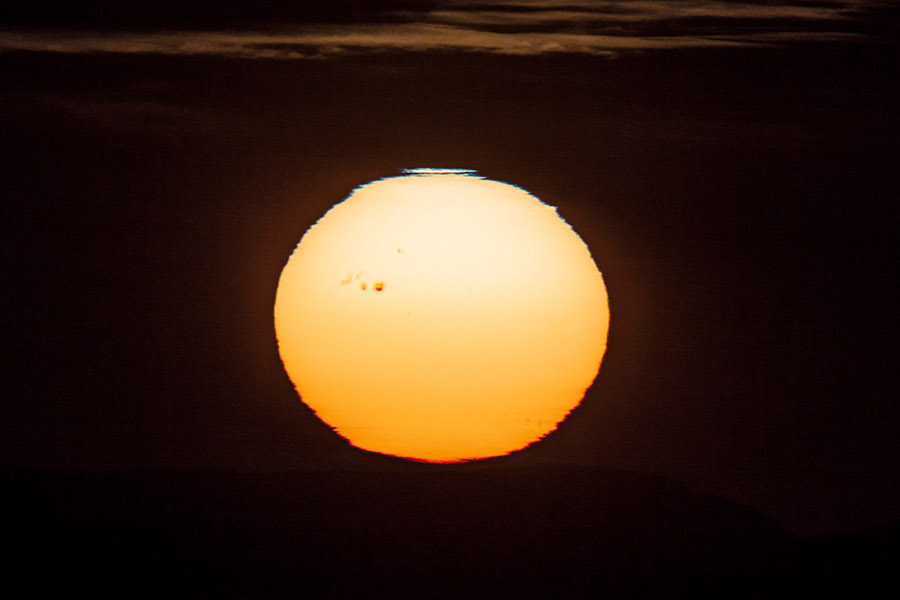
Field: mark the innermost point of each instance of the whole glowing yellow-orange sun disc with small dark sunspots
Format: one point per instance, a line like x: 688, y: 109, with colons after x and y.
x: 441, y: 316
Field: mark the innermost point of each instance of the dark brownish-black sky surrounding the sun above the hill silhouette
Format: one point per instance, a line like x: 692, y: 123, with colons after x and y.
x: 731, y: 166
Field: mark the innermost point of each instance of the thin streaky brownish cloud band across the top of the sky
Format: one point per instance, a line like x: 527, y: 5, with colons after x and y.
x: 510, y: 27
